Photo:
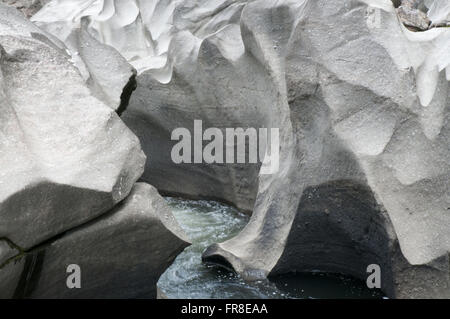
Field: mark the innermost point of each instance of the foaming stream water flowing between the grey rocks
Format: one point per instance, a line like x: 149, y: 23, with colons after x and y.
x: 208, y: 222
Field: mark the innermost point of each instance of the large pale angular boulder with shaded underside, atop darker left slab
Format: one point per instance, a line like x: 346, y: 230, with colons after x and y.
x: 66, y: 156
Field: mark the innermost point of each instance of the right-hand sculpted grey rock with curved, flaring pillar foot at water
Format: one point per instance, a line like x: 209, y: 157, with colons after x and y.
x: 364, y: 164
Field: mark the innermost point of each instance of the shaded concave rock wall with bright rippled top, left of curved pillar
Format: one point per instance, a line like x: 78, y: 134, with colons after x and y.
x: 188, y: 46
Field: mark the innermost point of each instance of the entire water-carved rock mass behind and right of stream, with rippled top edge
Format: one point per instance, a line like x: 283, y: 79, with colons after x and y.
x: 362, y: 104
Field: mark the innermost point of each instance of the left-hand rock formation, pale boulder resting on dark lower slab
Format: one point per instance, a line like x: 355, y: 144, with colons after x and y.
x: 67, y: 166
